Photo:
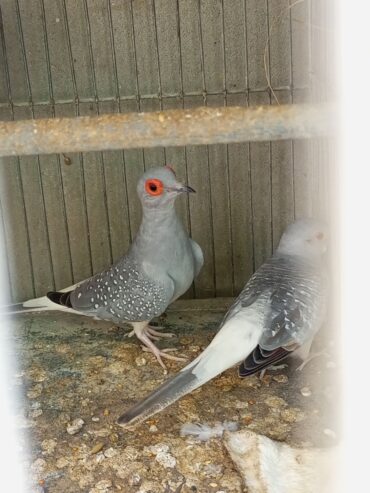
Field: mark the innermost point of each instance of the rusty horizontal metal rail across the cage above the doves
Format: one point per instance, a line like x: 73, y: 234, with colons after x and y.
x: 197, y: 126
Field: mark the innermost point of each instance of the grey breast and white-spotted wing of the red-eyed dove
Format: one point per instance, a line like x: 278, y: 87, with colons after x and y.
x: 159, y: 268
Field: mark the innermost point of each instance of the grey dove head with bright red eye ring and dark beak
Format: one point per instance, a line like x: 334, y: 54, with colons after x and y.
x: 159, y: 188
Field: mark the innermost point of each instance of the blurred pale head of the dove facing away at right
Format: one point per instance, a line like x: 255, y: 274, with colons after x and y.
x: 305, y: 237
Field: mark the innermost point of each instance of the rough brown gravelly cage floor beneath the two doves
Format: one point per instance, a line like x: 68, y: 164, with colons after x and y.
x: 76, y: 368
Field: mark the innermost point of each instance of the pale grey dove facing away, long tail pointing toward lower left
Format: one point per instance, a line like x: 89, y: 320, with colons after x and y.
x: 277, y: 313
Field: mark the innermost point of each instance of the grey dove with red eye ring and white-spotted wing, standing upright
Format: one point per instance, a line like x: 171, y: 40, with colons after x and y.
x: 160, y: 266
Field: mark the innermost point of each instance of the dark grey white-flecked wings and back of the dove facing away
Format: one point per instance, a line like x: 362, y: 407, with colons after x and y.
x: 291, y: 300
